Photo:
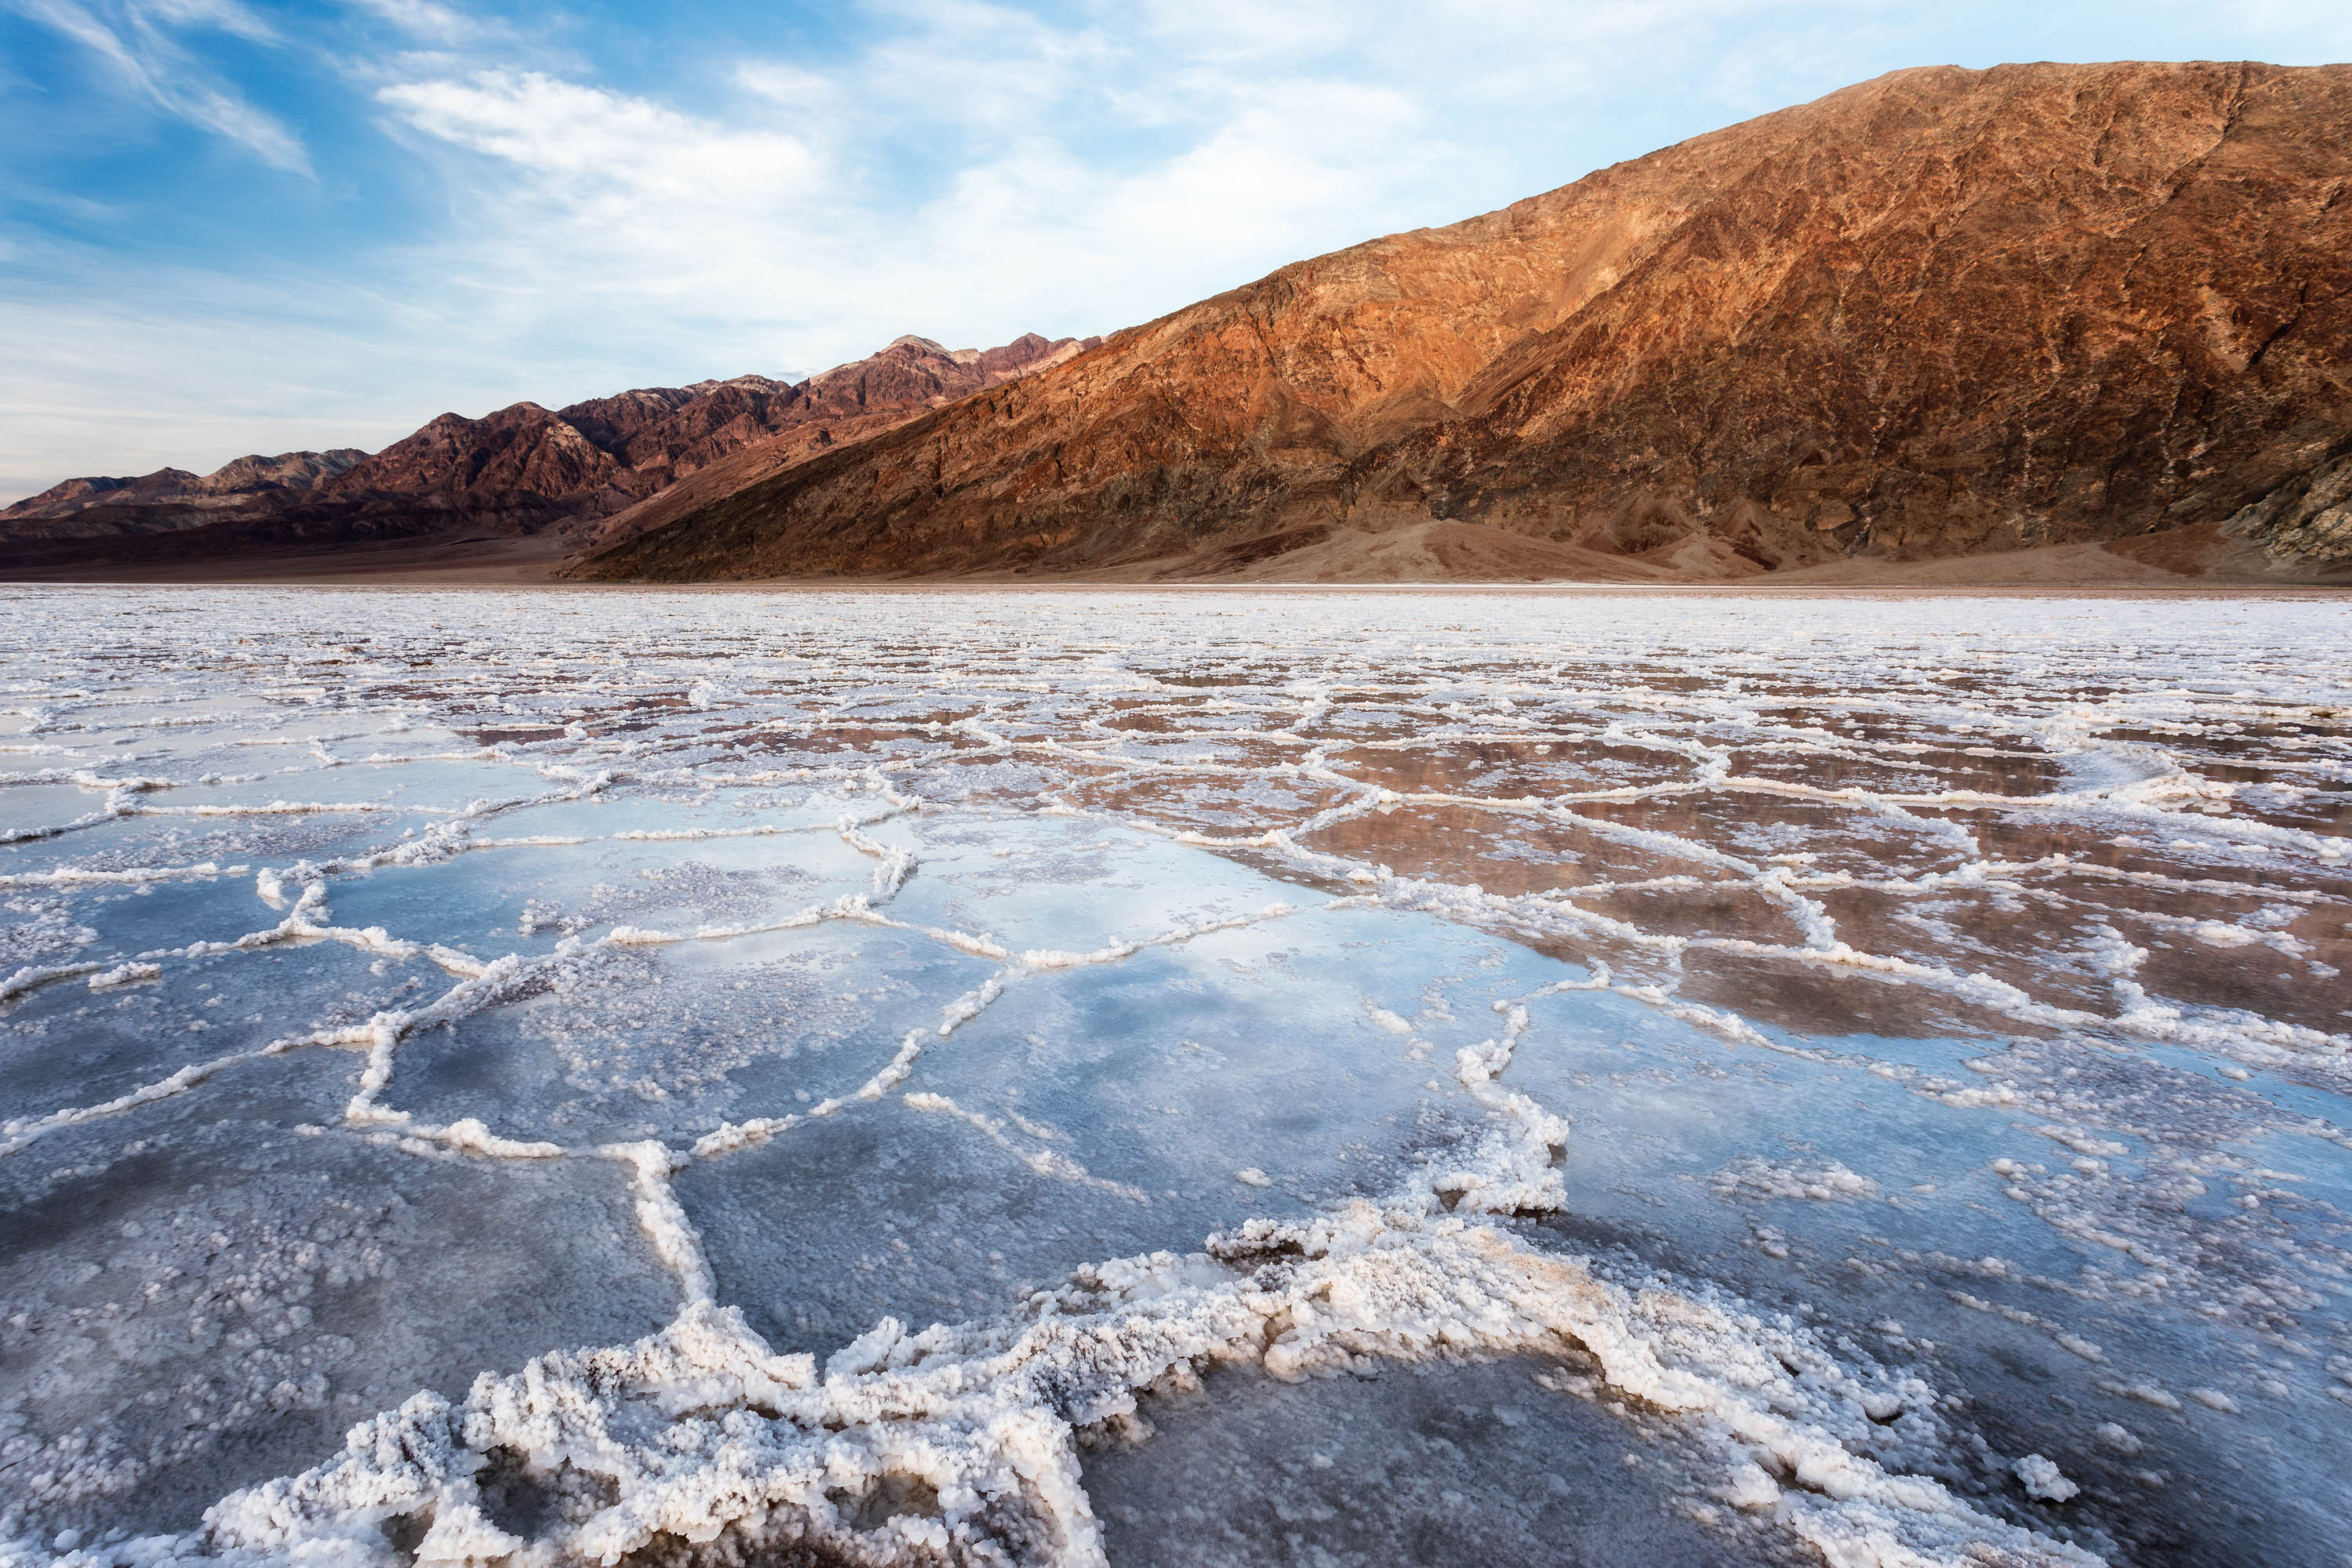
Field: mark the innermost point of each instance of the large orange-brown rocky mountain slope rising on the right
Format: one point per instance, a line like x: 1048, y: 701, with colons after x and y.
x: 1932, y: 316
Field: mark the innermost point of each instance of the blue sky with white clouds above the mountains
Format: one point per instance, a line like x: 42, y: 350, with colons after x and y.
x: 248, y: 227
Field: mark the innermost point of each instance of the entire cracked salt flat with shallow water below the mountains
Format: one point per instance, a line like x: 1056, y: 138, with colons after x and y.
x: 827, y: 1078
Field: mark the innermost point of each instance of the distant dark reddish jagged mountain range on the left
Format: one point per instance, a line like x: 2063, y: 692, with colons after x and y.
x: 516, y: 474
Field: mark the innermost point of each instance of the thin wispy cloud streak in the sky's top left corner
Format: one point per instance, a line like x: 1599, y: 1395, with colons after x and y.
x: 135, y: 39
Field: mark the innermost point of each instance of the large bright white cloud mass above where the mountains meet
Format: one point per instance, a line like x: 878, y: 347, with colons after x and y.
x: 1095, y: 187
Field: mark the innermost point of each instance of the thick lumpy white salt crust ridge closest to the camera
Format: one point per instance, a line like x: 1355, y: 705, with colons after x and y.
x: 702, y: 1445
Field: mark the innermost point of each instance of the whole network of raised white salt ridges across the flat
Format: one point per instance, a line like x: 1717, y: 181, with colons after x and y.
x: 704, y: 1433
